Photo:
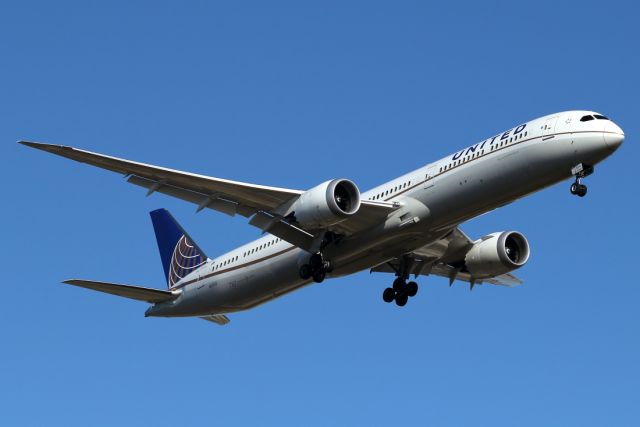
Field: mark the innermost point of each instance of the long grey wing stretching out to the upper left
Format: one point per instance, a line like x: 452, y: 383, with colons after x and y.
x: 229, y: 197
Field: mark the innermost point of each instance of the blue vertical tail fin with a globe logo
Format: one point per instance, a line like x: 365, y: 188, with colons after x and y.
x: 179, y: 253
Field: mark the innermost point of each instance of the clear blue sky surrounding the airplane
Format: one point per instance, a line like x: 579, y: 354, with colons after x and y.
x: 291, y: 94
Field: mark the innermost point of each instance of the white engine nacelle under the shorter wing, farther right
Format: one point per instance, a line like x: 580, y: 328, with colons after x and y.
x: 497, y: 253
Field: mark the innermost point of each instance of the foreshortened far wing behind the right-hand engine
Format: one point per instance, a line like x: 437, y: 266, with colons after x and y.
x: 444, y: 257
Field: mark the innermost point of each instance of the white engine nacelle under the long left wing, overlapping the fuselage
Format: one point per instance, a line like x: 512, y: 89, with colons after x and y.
x: 326, y: 204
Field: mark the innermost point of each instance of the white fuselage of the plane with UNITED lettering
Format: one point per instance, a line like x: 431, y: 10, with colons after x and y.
x: 433, y: 199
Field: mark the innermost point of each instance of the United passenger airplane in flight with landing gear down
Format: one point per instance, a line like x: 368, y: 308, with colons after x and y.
x: 406, y: 227
